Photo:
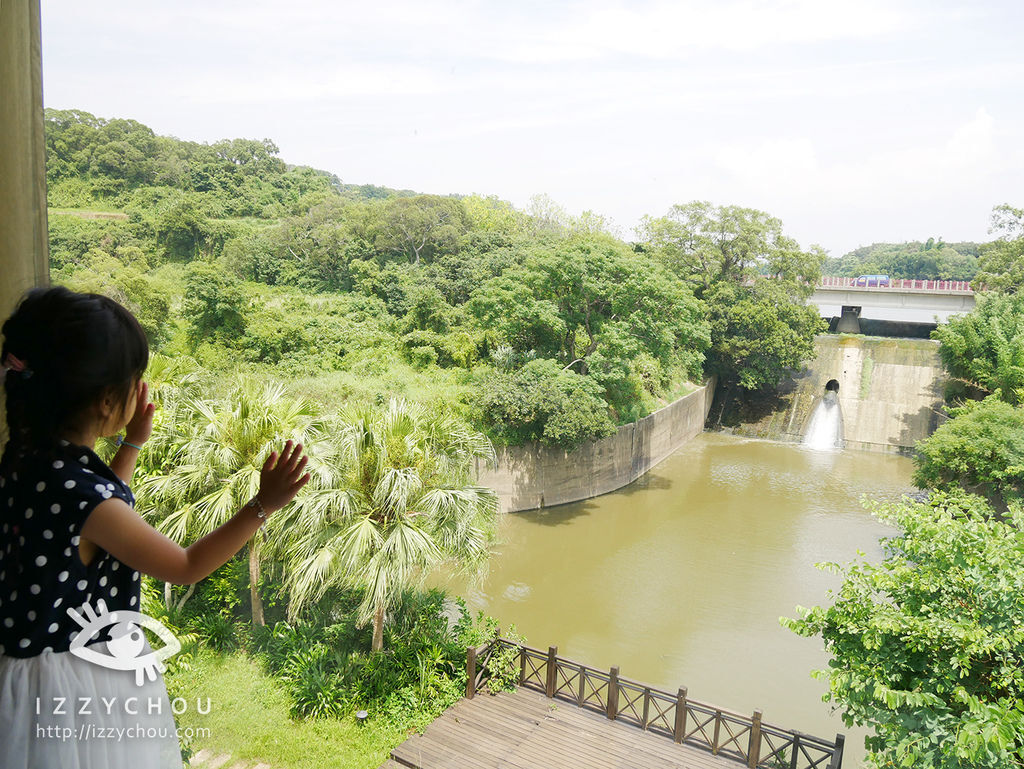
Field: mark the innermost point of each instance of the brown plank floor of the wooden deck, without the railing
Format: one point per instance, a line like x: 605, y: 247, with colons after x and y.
x: 527, y: 731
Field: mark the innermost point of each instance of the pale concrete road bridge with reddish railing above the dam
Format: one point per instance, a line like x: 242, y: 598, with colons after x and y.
x: 920, y: 304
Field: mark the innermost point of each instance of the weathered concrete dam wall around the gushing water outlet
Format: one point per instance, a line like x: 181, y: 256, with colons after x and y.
x: 890, y: 393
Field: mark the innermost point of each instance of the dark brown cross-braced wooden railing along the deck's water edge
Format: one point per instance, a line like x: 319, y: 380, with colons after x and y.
x: 744, y: 739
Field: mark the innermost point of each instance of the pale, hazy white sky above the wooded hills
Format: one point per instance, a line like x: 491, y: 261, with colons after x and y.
x: 854, y: 122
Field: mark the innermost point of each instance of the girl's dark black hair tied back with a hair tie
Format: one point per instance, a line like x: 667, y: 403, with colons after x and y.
x: 77, y: 349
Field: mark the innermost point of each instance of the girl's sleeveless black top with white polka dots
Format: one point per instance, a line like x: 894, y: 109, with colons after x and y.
x: 44, y: 505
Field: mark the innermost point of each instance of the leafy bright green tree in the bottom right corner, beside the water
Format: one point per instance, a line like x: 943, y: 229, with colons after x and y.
x: 927, y: 648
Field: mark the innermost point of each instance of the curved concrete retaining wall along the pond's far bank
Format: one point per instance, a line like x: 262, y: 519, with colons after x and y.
x: 533, y: 476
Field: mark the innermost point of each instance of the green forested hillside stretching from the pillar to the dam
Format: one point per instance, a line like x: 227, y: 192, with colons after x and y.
x: 531, y: 325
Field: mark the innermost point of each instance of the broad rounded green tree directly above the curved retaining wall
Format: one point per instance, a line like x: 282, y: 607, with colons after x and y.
x: 592, y: 306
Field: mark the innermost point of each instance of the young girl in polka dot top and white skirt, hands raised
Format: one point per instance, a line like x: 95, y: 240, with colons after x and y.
x: 70, y: 539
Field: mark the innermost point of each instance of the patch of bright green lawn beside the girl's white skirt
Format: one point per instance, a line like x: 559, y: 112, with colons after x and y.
x: 249, y: 720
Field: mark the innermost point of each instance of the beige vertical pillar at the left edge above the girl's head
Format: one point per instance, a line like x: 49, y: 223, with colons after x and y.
x: 24, y: 251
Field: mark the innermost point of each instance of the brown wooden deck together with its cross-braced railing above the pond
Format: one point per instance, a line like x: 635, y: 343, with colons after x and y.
x: 565, y: 715
